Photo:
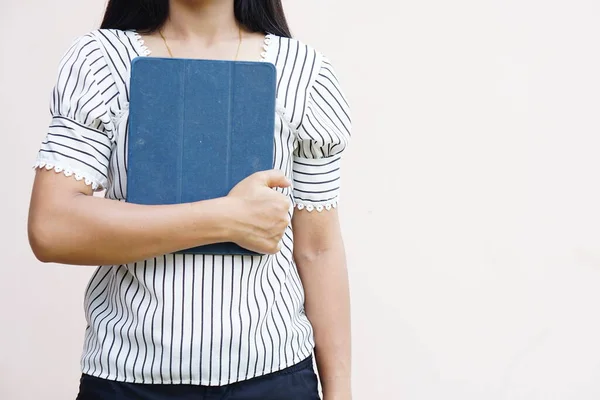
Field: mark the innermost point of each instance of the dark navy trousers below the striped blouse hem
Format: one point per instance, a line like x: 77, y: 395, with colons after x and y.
x: 298, y: 382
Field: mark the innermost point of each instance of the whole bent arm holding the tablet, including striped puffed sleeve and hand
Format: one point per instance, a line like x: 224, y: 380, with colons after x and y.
x: 68, y: 225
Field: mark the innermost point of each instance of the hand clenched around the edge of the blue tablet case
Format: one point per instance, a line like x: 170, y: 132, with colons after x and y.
x: 261, y: 214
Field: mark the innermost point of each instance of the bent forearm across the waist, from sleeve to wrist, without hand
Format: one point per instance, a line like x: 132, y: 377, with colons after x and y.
x: 88, y: 230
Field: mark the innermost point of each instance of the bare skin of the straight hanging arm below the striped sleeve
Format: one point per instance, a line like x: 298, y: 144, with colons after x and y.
x: 320, y: 256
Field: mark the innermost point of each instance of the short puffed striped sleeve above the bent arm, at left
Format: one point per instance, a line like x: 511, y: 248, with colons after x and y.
x: 79, y: 139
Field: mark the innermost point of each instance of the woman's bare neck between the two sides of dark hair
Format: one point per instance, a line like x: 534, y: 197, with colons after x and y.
x: 210, y: 20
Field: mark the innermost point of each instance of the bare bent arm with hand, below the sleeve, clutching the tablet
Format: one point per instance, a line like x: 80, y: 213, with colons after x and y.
x: 67, y: 225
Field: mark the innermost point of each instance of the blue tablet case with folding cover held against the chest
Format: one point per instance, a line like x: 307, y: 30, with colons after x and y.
x: 196, y: 129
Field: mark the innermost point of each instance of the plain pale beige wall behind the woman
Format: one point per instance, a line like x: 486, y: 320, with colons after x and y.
x: 471, y: 199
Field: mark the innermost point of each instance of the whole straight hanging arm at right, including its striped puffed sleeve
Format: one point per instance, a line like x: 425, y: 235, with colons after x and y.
x: 318, y: 247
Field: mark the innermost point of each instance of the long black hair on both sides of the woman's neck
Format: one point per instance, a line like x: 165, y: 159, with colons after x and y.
x: 146, y: 16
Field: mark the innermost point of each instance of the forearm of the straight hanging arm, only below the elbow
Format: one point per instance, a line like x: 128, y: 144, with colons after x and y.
x: 325, y: 280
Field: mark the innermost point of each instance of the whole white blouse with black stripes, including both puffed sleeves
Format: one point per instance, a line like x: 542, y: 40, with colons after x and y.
x: 195, y: 319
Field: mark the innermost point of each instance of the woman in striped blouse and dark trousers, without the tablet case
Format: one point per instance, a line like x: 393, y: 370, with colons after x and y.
x: 172, y: 326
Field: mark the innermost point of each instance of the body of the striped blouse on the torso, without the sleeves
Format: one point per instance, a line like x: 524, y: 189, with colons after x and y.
x: 196, y: 319
